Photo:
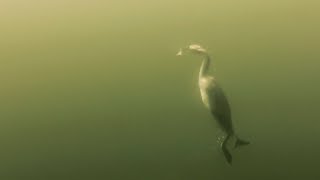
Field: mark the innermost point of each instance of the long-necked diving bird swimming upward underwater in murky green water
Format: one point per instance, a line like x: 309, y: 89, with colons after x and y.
x: 214, y: 99
